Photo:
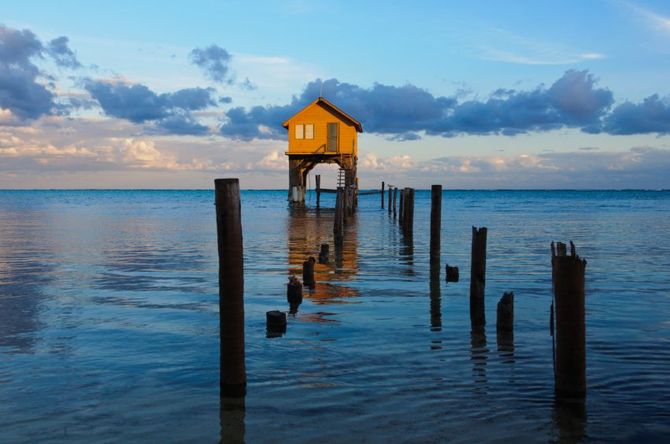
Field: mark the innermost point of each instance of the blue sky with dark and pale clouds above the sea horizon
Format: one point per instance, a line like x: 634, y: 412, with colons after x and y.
x: 495, y: 94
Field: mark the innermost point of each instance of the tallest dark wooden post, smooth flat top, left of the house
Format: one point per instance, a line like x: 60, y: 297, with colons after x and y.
x: 233, y: 380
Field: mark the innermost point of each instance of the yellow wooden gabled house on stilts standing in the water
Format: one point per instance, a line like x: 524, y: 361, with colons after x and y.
x: 320, y: 133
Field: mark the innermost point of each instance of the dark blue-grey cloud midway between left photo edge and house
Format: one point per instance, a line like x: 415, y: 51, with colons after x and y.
x: 140, y: 104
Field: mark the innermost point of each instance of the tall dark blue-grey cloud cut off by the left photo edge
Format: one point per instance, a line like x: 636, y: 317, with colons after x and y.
x: 19, y: 90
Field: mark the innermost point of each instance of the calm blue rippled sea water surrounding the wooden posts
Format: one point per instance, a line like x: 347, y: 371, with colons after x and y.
x: 109, y: 320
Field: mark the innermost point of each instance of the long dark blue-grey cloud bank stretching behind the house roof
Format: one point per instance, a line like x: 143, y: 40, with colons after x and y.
x: 400, y: 112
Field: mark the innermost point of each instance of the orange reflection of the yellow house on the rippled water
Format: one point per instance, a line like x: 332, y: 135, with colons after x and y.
x: 306, y: 231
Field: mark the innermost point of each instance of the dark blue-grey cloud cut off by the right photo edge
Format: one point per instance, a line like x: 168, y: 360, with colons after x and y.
x: 650, y: 116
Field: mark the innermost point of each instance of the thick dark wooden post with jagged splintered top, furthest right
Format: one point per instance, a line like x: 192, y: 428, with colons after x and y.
x: 568, y: 282
